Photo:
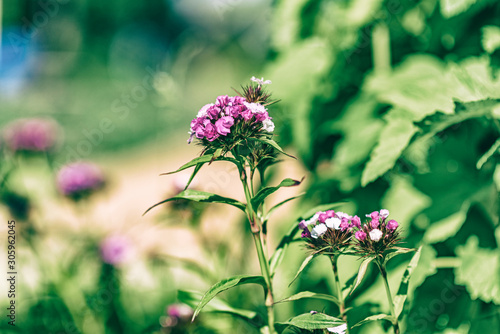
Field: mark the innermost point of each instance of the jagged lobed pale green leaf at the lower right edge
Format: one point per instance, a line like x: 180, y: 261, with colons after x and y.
x: 479, y: 271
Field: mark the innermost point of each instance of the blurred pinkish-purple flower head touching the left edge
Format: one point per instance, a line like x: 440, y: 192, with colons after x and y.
x: 35, y: 135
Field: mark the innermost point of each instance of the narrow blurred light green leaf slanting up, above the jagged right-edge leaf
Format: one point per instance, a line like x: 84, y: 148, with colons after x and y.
x: 447, y: 227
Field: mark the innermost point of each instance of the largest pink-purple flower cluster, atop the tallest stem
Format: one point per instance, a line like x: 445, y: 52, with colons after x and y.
x: 215, y: 120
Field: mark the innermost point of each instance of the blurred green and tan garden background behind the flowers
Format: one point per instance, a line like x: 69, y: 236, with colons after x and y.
x: 387, y: 104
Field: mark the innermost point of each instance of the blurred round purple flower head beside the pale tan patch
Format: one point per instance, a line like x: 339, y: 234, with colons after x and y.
x: 80, y: 177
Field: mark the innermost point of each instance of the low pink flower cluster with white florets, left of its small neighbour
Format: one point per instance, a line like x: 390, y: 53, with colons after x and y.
x: 322, y: 221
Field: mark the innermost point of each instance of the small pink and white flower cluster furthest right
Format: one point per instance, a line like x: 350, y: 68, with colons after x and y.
x: 377, y: 228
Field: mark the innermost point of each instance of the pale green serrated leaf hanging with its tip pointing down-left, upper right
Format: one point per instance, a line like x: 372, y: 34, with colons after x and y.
x: 395, y: 137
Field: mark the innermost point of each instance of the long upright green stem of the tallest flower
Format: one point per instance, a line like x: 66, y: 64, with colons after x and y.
x: 263, y: 261
